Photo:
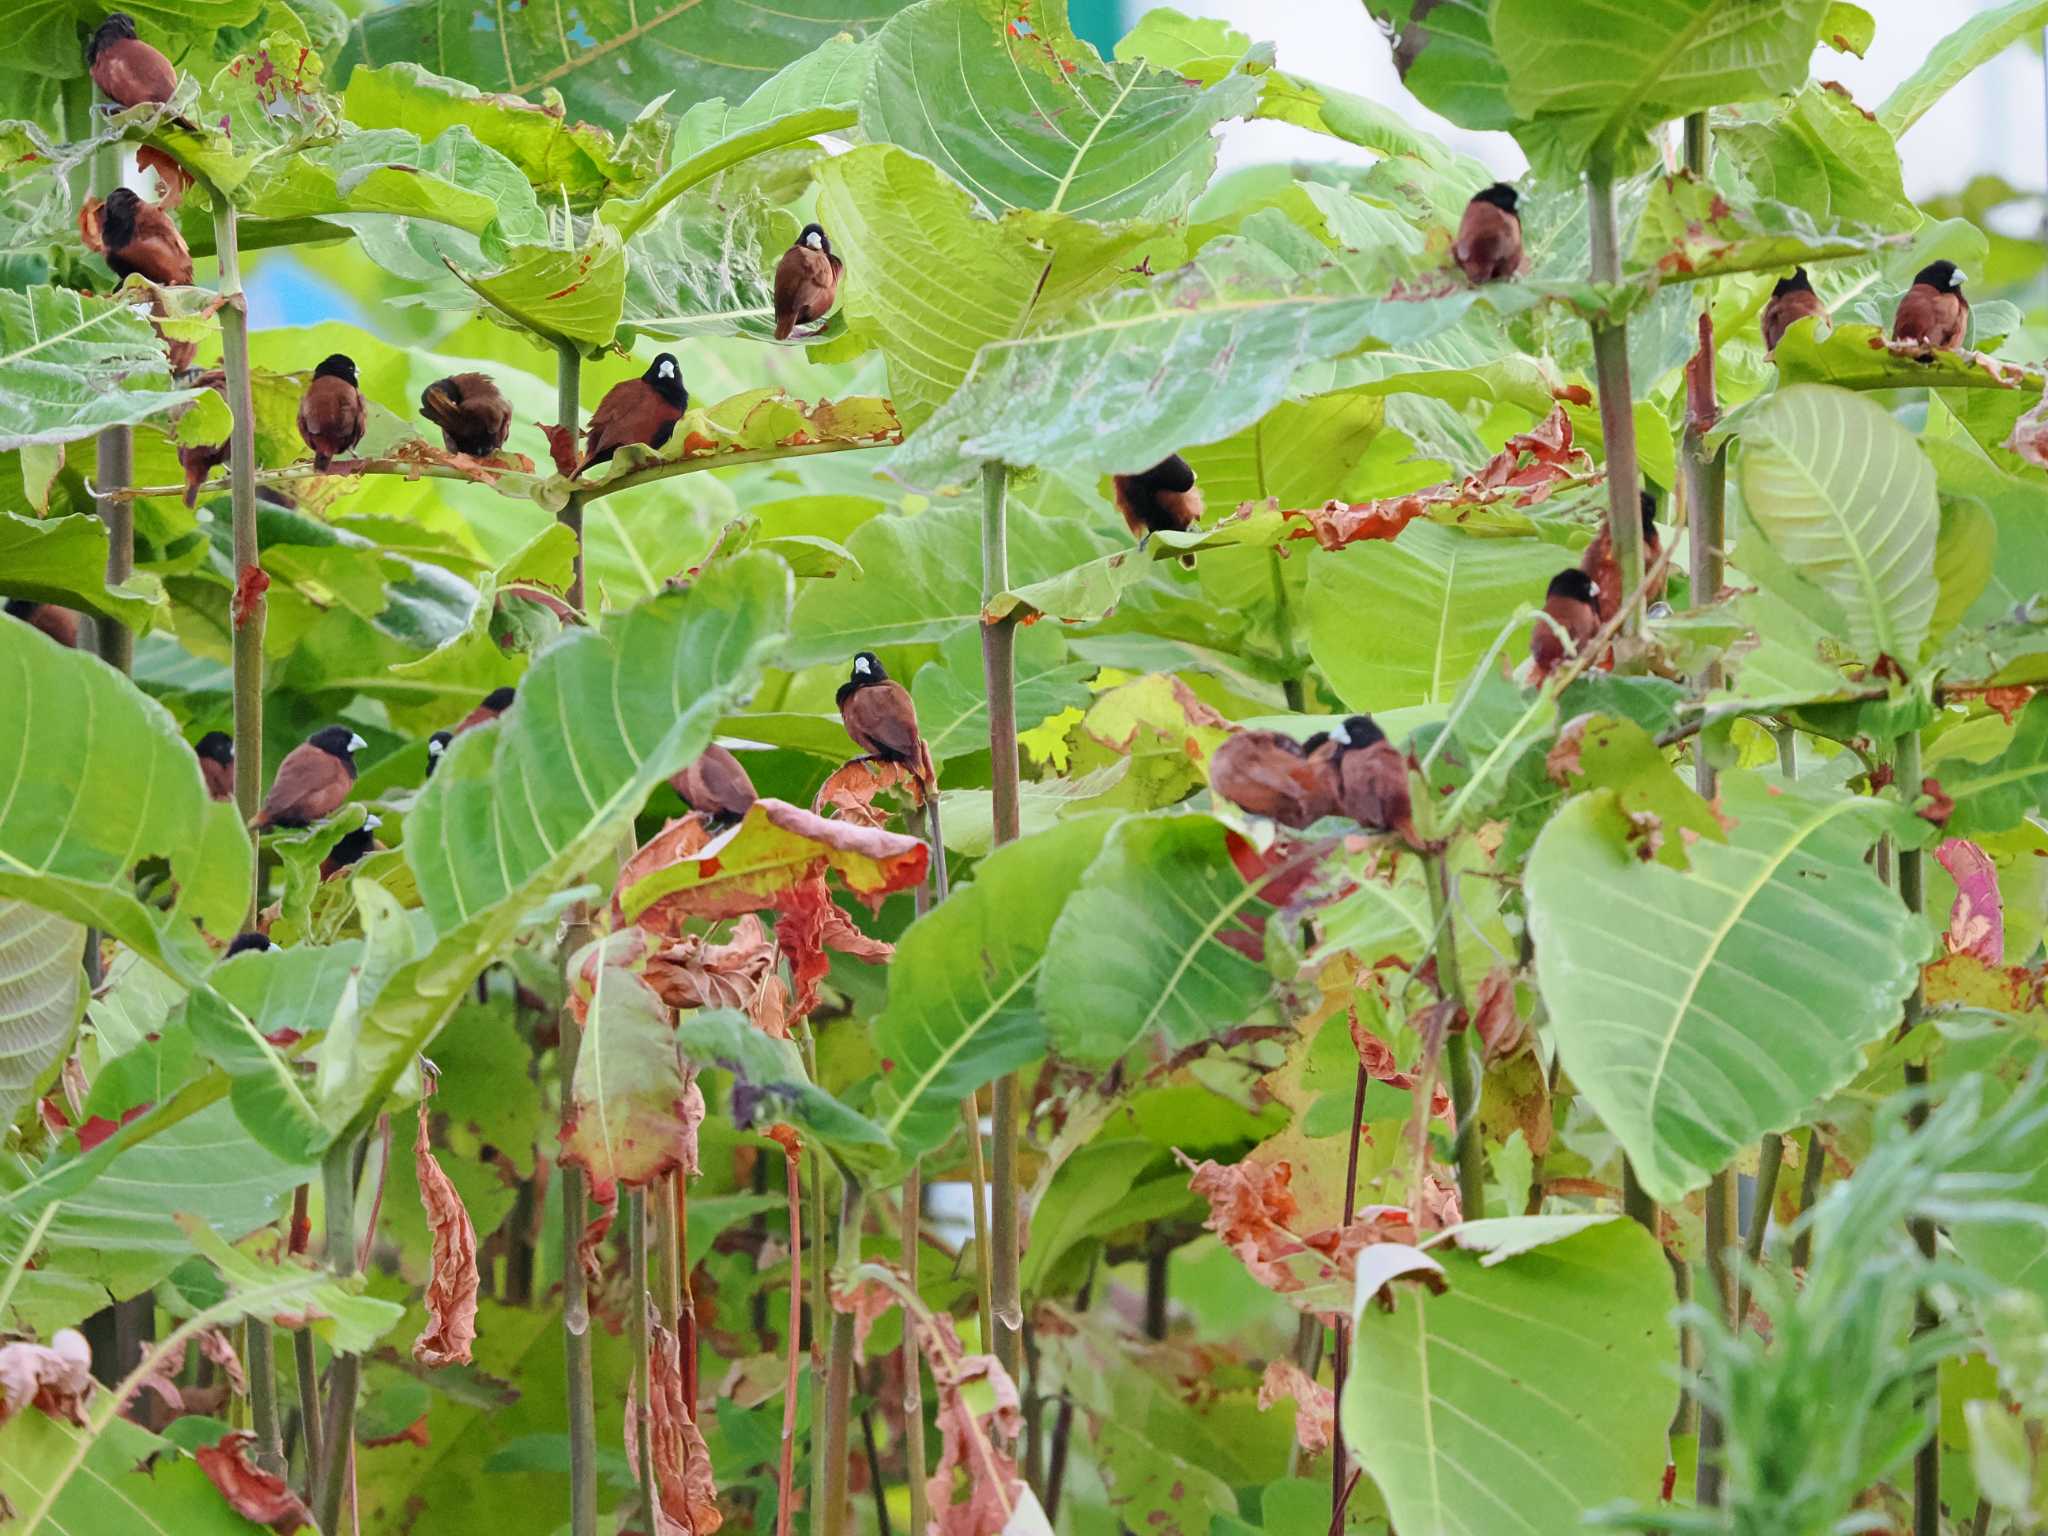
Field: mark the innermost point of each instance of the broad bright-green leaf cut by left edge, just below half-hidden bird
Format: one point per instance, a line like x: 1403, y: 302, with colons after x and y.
x: 112, y: 783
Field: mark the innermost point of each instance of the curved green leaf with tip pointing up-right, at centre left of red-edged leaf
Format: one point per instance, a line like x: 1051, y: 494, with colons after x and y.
x: 964, y: 990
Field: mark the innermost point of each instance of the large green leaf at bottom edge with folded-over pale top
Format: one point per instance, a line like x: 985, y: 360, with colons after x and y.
x: 1476, y: 1410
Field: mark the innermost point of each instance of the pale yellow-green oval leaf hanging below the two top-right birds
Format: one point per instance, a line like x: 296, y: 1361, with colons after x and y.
x: 1846, y: 497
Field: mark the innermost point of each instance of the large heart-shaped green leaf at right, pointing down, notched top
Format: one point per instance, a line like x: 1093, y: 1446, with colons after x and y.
x: 1701, y: 1011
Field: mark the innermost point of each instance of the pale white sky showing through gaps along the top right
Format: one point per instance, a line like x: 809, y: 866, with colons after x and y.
x: 1990, y: 124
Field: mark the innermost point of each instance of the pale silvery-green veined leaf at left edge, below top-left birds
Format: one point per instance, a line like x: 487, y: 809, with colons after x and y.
x: 73, y: 364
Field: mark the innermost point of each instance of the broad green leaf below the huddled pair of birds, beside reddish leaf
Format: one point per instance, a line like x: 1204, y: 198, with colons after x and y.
x: 1140, y: 951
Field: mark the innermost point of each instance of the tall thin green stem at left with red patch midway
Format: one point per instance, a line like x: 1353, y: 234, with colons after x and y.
x: 243, y: 495
